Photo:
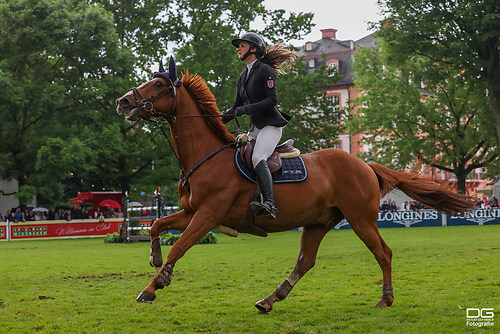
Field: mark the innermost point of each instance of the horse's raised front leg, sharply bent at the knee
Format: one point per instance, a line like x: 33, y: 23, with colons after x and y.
x: 177, y: 221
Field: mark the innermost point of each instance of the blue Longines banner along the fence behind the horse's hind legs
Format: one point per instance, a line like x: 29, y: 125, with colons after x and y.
x: 432, y: 218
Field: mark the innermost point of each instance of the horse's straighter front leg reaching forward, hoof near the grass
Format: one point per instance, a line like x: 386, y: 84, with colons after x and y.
x: 202, y: 222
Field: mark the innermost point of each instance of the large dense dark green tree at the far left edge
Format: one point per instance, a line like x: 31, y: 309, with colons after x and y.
x: 60, y: 59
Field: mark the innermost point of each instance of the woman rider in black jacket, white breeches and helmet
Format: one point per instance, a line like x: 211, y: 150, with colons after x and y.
x: 256, y: 96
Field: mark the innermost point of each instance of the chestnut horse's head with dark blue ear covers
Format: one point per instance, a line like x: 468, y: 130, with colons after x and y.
x: 149, y: 99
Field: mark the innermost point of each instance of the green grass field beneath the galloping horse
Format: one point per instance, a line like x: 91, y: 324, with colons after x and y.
x: 87, y: 286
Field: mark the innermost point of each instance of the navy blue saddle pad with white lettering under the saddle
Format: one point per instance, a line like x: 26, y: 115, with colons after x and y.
x: 292, y: 170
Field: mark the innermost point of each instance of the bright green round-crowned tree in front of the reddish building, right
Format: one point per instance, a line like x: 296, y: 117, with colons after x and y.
x: 414, y: 111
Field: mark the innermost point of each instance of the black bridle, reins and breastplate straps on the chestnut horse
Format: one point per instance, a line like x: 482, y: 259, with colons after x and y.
x: 146, y: 104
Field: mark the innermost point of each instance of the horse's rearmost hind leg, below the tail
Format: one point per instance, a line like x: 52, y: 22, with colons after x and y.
x: 369, y: 234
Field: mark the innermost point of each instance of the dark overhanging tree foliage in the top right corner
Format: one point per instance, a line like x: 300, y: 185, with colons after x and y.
x: 464, y: 34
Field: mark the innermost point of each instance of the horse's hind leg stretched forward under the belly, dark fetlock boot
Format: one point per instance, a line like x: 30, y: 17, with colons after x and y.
x: 309, y: 244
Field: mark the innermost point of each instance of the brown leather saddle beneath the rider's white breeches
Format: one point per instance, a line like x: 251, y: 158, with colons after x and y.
x: 283, y: 151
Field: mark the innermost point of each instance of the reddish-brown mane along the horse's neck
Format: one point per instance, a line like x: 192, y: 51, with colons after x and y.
x: 203, y: 97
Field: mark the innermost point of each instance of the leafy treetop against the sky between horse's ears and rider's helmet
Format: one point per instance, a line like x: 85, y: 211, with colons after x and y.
x: 203, y: 42
